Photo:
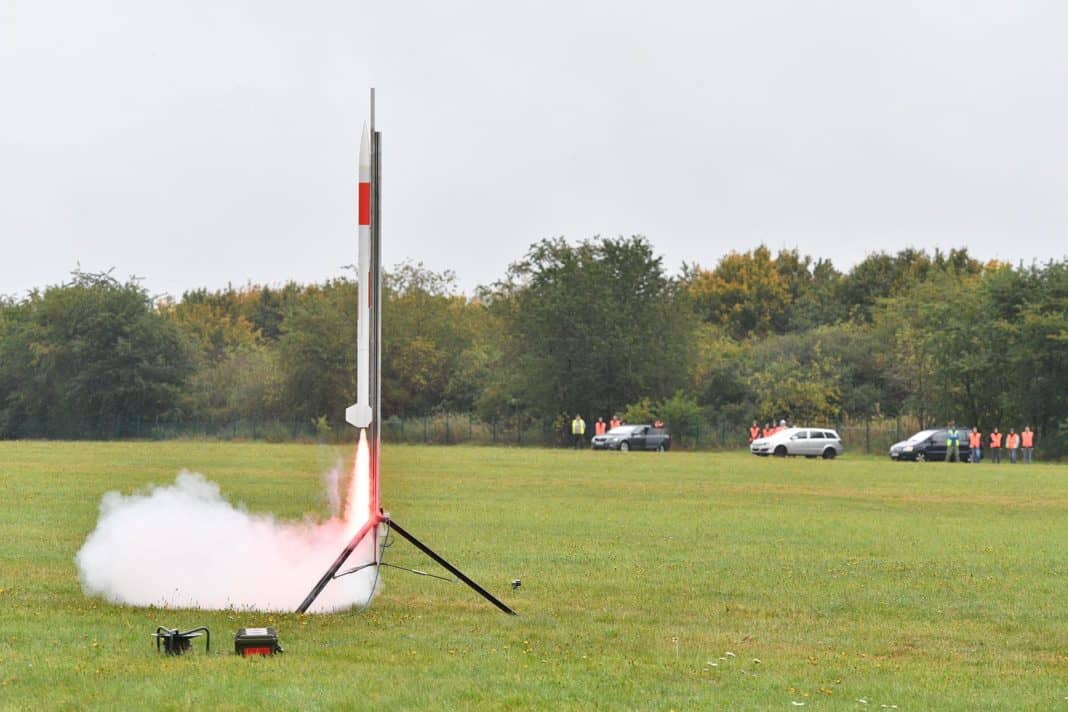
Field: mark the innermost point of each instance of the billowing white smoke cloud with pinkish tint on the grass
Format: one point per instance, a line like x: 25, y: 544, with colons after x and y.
x: 184, y: 546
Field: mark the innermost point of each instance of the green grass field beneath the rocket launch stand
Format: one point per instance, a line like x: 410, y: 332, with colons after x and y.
x: 919, y: 587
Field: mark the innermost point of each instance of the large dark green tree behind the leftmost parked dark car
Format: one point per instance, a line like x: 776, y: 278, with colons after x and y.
x: 594, y: 326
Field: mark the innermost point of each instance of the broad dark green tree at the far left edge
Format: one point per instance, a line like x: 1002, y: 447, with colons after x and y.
x: 91, y: 358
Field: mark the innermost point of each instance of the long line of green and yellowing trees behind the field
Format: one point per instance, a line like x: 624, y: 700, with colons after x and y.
x: 598, y: 328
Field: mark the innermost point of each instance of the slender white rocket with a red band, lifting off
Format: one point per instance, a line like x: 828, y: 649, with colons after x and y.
x: 360, y: 414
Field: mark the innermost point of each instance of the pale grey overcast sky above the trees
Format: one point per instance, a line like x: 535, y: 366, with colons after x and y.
x: 198, y: 144
